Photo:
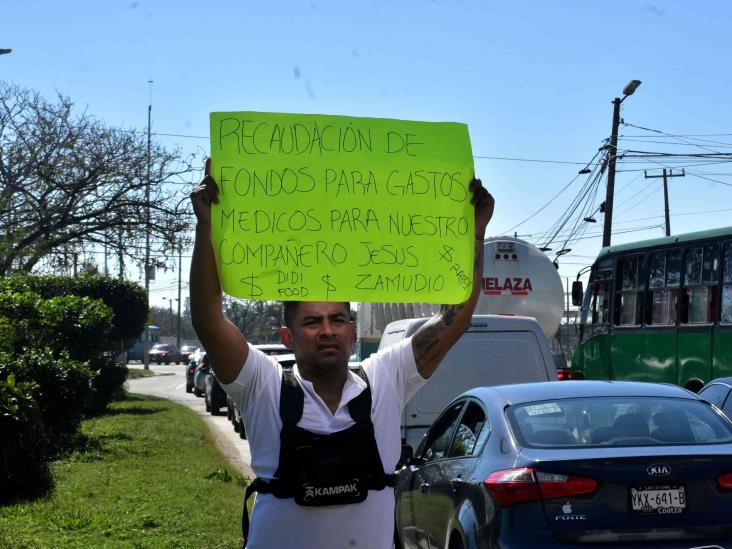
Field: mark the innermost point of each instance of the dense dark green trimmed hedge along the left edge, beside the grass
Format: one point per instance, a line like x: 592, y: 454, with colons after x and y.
x: 58, y: 340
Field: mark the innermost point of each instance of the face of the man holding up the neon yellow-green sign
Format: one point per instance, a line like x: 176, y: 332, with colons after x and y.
x: 321, y: 335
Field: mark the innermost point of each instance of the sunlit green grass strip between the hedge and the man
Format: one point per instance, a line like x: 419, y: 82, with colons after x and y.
x: 149, y: 475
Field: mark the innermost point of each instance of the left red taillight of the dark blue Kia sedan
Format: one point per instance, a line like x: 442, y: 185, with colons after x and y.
x: 512, y: 486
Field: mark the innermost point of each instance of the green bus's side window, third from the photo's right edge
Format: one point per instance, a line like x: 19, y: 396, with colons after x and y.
x: 663, y: 279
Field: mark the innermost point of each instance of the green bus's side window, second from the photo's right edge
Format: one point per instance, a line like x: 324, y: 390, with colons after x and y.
x: 701, y: 274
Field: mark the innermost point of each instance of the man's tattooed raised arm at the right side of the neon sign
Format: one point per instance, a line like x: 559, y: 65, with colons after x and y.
x: 434, y: 339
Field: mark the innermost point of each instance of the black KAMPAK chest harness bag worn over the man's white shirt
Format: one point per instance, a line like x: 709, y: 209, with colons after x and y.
x: 318, y: 470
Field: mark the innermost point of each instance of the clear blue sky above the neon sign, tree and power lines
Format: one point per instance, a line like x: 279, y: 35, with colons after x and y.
x: 533, y: 80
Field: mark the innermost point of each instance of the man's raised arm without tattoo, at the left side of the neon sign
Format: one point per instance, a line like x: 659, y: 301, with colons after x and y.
x: 224, y: 343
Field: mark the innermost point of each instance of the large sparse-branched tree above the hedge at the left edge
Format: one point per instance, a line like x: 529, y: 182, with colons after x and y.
x: 70, y: 184
